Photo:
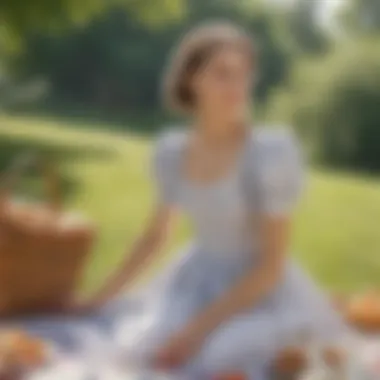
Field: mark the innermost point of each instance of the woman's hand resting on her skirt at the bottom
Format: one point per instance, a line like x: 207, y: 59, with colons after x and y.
x: 179, y: 349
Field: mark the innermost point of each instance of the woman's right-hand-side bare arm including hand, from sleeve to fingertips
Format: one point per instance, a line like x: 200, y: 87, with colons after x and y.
x: 245, y: 294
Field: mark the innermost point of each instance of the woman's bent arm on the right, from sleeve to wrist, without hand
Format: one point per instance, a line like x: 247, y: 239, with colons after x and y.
x: 254, y: 285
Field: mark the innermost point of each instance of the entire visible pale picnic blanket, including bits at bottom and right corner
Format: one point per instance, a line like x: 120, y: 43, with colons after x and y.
x: 86, y: 347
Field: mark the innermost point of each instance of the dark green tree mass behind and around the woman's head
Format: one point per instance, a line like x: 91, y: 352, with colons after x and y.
x: 116, y: 61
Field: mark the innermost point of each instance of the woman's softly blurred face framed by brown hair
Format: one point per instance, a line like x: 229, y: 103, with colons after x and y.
x: 223, y: 86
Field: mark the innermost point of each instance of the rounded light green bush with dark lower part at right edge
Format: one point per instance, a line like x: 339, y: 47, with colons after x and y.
x: 335, y: 101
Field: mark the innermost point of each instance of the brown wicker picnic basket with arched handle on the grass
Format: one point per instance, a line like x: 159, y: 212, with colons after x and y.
x: 42, y: 249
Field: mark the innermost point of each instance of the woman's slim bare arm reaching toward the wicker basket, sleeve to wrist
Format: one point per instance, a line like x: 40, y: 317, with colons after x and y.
x: 143, y: 251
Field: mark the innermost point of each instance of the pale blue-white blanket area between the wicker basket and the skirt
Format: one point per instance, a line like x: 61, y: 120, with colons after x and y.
x: 83, y: 347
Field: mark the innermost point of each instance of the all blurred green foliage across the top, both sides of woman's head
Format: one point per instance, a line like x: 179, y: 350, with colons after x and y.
x: 112, y: 56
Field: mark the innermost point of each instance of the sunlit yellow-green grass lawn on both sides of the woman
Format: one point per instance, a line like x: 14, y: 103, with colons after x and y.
x: 106, y: 175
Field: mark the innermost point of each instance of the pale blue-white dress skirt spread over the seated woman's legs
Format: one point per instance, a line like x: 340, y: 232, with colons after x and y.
x: 294, y: 311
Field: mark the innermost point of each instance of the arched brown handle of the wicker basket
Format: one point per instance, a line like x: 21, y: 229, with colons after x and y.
x: 17, y: 169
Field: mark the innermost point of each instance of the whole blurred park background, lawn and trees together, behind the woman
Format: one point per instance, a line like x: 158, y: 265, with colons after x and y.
x: 80, y: 80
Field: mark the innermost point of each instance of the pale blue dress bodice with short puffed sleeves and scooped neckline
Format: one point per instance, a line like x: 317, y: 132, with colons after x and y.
x: 224, y: 213
